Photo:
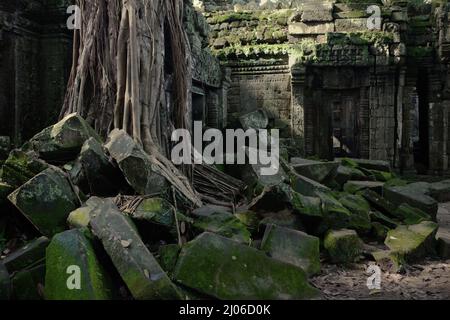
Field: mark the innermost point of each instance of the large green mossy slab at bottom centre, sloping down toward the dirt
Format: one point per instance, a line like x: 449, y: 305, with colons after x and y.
x: 250, y: 274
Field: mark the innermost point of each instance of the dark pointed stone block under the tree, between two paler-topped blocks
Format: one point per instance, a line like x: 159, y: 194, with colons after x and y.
x: 94, y: 173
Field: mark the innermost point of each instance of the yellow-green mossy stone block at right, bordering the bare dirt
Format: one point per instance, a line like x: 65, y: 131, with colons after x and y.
x: 413, y: 242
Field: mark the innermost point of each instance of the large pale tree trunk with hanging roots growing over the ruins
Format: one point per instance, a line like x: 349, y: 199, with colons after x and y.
x: 118, y: 76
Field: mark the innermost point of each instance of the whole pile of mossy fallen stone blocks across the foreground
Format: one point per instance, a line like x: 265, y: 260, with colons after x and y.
x: 107, y: 226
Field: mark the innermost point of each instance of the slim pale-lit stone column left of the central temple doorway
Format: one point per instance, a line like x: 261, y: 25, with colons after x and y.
x: 298, y: 106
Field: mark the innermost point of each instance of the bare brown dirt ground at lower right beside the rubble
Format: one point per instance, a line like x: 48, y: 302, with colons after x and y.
x: 429, y: 280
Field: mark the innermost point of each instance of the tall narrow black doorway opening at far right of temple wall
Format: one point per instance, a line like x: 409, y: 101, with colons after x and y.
x: 422, y: 143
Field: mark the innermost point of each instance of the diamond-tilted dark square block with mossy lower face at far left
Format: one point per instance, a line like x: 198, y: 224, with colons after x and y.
x: 46, y: 200
